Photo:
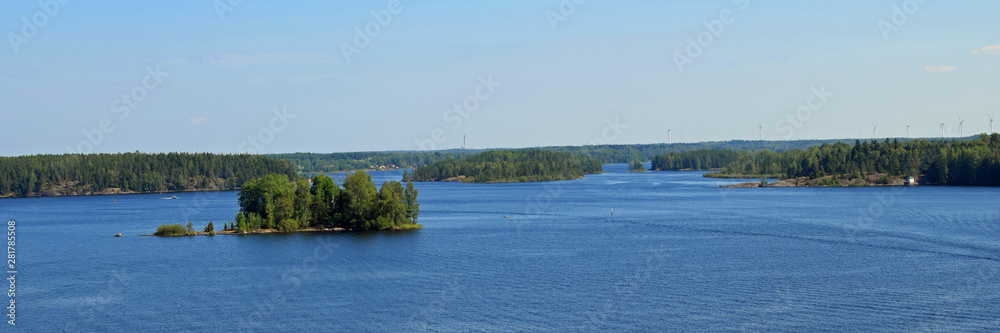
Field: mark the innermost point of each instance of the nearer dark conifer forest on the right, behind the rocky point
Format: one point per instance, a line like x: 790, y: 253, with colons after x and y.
x: 959, y: 162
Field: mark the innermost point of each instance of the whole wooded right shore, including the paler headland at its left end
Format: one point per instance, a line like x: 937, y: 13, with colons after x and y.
x: 873, y: 163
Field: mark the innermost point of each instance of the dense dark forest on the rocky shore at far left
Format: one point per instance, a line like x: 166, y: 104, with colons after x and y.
x: 79, y: 174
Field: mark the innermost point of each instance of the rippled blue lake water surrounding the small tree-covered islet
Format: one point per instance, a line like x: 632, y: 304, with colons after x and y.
x: 677, y: 254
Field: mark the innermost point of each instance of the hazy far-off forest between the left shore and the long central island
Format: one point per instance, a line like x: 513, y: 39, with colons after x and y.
x: 310, y: 162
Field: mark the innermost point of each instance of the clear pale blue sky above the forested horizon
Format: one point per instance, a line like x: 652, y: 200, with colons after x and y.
x: 230, y: 76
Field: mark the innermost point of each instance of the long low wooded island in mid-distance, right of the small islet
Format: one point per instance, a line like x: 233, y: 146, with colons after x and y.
x: 509, y: 166
